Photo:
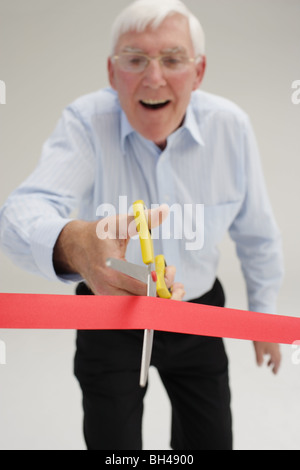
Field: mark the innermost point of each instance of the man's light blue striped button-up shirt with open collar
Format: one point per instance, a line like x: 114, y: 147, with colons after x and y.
x: 209, y: 174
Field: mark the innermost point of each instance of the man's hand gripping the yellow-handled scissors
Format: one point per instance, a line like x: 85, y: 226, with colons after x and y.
x: 84, y: 247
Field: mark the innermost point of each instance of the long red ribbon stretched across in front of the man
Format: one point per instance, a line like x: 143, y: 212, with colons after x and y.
x: 65, y: 312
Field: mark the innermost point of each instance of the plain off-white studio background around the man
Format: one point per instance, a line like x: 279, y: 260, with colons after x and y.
x: 53, y: 51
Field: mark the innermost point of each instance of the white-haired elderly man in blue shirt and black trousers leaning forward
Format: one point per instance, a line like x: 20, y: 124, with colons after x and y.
x: 153, y: 136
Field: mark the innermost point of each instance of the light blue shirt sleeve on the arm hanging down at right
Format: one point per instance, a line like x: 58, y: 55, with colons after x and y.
x: 256, y: 234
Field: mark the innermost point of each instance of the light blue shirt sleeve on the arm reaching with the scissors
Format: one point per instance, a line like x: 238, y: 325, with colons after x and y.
x: 35, y: 213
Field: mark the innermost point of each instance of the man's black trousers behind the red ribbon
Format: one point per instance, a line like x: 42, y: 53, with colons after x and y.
x: 193, y: 369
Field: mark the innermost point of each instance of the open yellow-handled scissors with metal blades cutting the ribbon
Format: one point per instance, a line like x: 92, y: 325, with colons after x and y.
x: 153, y: 274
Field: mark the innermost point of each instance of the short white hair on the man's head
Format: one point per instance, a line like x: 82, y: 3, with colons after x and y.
x: 142, y: 13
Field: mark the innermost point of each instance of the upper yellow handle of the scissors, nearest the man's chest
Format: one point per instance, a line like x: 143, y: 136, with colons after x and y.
x: 139, y: 212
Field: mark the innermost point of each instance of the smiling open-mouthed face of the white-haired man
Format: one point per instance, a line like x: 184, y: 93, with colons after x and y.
x: 139, y: 92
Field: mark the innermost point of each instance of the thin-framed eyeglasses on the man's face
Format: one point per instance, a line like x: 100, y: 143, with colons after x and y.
x: 137, y: 62
